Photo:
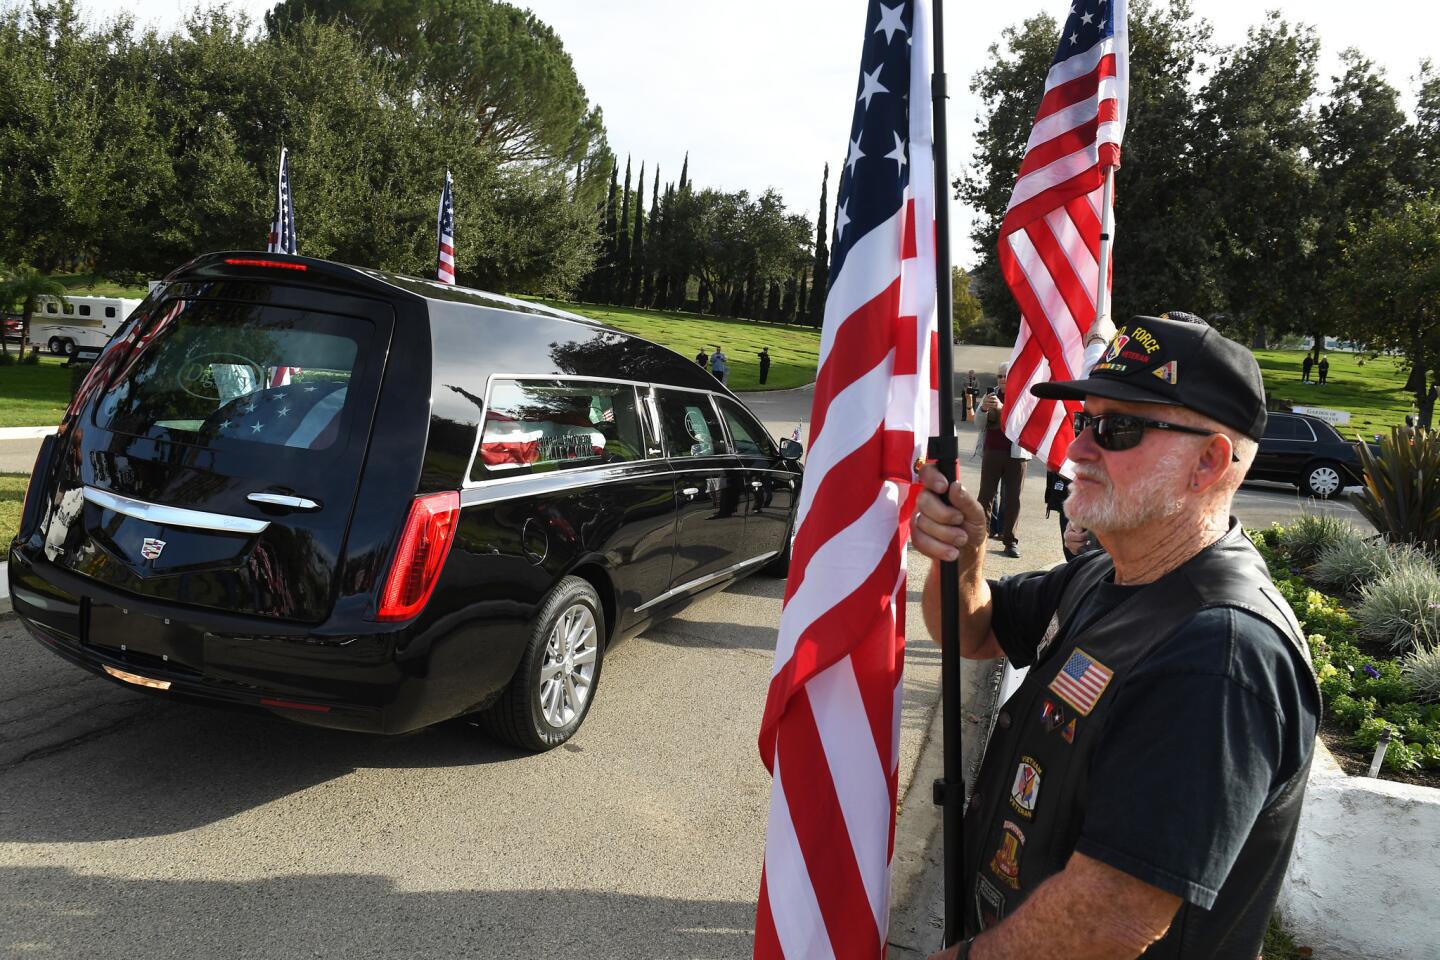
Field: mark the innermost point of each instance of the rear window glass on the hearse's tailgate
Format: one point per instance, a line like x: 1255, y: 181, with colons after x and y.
x: 221, y: 373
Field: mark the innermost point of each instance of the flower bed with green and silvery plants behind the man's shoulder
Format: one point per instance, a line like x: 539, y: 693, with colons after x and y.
x: 1370, y: 663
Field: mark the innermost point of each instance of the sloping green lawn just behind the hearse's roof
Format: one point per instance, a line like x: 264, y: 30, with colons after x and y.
x: 794, y: 350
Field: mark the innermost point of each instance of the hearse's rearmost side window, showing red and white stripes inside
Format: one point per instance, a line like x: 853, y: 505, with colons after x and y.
x: 545, y: 425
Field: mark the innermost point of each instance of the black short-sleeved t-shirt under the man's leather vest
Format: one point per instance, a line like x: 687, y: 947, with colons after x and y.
x: 1202, y: 739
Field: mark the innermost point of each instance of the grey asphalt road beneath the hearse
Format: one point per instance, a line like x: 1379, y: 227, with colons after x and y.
x: 132, y: 827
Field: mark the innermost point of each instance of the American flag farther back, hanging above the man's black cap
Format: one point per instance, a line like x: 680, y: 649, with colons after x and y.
x: 1050, y: 237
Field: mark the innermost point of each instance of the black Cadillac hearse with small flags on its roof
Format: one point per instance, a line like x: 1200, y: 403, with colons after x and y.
x: 375, y: 503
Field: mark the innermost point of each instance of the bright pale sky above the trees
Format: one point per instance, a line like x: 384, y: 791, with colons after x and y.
x: 761, y: 93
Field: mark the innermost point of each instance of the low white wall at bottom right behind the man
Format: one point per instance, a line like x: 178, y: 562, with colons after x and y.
x: 1366, y: 877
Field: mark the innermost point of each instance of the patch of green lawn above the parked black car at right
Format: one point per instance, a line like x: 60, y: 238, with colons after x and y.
x: 1373, y: 394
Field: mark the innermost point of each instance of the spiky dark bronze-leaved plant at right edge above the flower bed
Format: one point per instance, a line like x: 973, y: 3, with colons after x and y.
x: 1402, y: 494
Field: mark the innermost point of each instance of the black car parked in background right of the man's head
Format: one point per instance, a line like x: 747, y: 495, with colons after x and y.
x: 1308, y: 453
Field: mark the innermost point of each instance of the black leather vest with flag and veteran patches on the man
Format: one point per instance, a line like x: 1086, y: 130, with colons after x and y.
x: 1025, y: 820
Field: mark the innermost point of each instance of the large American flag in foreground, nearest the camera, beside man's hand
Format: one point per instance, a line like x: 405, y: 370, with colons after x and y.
x: 830, y: 735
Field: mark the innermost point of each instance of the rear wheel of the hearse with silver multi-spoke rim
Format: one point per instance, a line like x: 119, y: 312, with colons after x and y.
x: 538, y: 710
